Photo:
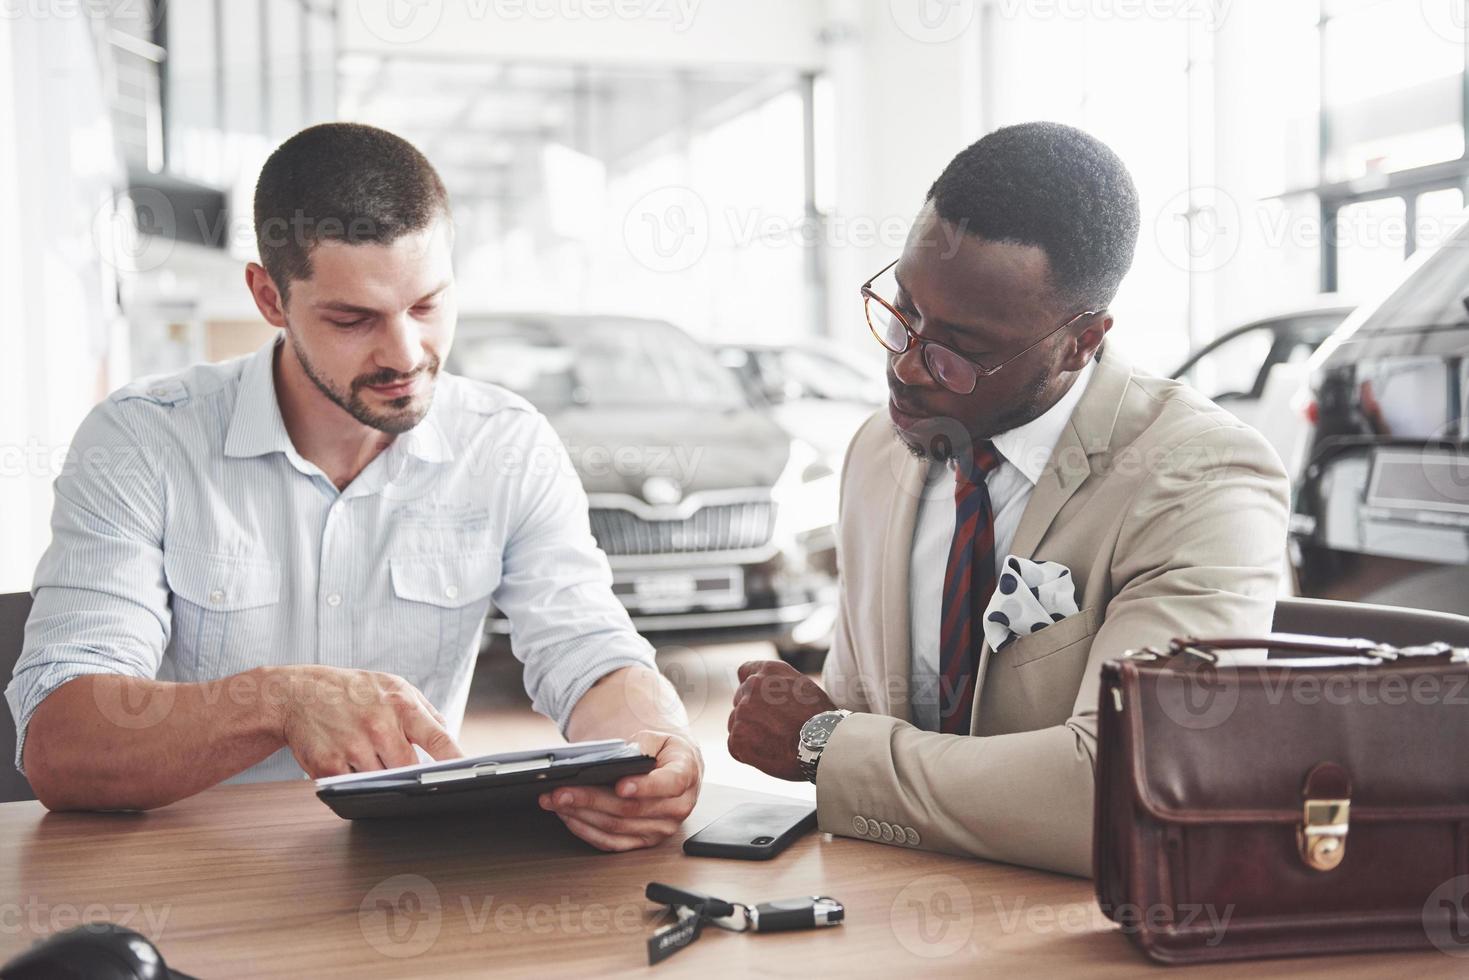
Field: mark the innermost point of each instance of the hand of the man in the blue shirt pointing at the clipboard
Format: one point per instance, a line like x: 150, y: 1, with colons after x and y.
x: 340, y: 721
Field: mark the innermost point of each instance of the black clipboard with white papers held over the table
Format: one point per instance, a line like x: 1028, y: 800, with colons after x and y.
x: 481, y: 784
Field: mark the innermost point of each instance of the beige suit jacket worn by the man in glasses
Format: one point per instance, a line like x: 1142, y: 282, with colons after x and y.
x: 1172, y: 516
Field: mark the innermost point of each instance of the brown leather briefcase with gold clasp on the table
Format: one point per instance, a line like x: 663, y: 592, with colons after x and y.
x: 1311, y: 801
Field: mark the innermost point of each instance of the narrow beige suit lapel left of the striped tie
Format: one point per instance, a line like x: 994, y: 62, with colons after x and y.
x: 909, y: 483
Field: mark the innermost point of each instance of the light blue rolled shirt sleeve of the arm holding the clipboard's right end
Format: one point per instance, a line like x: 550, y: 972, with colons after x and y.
x: 556, y: 587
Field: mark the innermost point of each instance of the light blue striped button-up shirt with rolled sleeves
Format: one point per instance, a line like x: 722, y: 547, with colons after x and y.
x: 192, y: 541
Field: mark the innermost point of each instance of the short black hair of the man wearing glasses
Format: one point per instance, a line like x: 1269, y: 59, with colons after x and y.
x: 1054, y: 187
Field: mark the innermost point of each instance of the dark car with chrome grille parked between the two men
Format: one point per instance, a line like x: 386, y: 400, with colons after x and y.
x: 713, y: 518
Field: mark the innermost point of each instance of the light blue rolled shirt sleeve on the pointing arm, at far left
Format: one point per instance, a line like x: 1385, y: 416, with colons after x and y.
x: 101, y: 603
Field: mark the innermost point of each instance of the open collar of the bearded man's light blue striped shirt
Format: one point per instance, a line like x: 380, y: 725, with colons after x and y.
x: 256, y: 428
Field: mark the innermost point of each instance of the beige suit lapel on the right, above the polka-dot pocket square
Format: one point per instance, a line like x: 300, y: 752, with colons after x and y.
x: 1088, y: 433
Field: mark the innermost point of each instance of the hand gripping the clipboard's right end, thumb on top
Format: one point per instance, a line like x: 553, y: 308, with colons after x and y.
x: 641, y: 812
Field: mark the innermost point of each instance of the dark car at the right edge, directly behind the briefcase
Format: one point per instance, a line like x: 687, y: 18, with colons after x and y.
x: 1382, y: 509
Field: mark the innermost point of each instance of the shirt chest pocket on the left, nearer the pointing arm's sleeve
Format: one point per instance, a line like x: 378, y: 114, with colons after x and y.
x: 225, y: 612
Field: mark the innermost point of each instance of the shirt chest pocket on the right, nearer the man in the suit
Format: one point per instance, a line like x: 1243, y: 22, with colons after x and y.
x: 440, y: 605
